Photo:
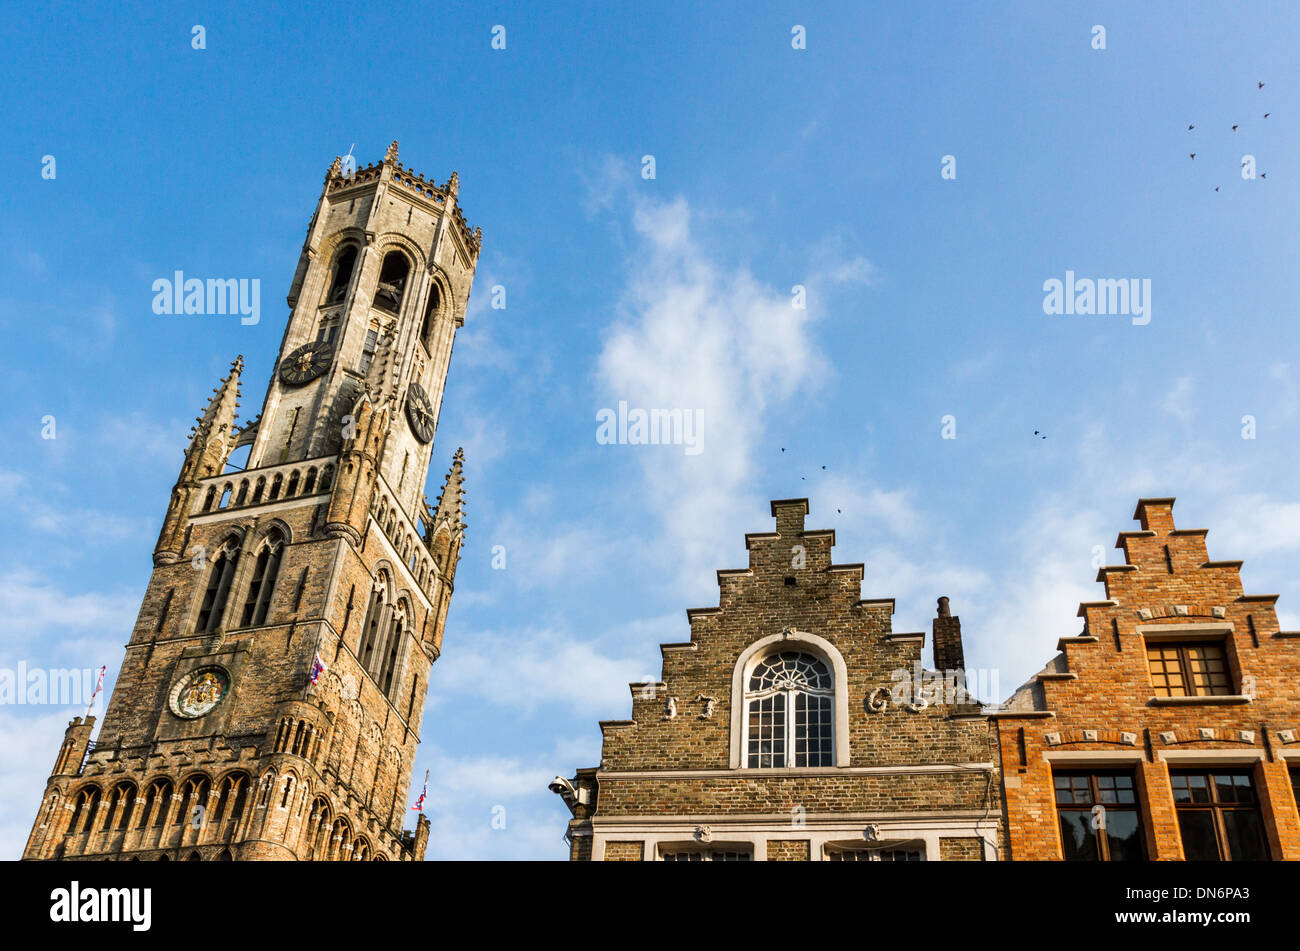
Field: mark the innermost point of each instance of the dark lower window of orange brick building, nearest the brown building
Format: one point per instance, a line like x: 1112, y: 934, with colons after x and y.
x: 1099, y: 817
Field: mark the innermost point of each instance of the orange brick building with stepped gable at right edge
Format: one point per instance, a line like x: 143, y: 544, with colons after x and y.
x: 1171, y: 727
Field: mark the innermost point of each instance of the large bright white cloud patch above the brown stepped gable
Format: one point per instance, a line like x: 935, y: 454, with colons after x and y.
x: 697, y: 335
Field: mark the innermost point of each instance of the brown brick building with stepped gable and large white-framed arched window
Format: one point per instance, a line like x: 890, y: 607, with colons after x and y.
x: 796, y: 724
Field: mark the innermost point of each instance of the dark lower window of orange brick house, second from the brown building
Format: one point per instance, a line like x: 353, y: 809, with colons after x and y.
x: 1219, y: 817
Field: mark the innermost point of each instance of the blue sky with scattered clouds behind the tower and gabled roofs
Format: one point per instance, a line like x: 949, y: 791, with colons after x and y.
x: 775, y: 167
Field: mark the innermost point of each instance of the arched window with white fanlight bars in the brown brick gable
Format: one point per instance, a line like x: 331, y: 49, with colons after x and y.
x: 790, y: 704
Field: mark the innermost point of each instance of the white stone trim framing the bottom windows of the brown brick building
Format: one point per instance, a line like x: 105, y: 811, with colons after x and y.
x: 730, y: 835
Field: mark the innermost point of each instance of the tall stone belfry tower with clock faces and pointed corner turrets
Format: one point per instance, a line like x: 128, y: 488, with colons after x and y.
x: 272, y: 692
